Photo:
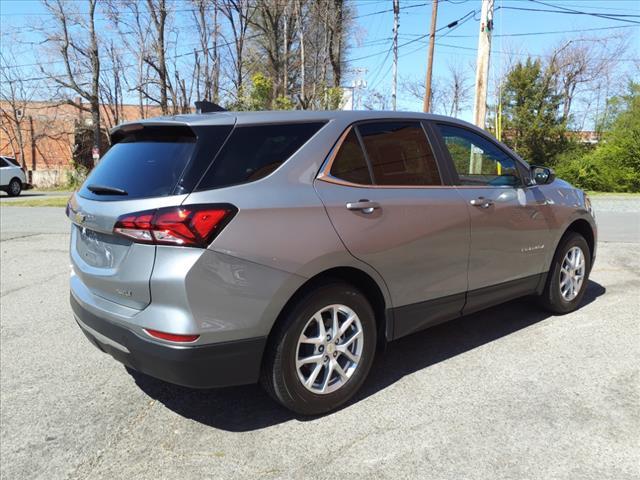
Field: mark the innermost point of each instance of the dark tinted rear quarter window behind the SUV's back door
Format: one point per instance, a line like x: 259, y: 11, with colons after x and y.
x: 254, y: 152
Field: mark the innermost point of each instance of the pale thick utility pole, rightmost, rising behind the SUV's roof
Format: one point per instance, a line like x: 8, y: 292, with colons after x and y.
x: 482, y: 65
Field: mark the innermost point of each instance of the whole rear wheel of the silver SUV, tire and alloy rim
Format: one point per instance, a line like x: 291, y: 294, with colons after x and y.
x: 322, y: 350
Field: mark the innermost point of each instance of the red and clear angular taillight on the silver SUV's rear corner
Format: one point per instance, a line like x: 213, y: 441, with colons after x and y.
x: 188, y: 226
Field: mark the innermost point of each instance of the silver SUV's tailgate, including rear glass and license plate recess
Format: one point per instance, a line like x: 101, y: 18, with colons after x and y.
x: 147, y: 168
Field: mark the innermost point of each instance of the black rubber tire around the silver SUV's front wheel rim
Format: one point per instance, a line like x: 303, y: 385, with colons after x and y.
x: 551, y: 298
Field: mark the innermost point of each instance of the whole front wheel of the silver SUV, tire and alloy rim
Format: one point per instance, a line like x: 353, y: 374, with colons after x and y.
x: 568, y: 275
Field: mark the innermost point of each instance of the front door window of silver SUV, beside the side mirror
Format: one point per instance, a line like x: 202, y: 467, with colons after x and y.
x: 478, y: 161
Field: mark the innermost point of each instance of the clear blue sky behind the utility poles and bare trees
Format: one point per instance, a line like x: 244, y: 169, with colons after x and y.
x: 370, y: 42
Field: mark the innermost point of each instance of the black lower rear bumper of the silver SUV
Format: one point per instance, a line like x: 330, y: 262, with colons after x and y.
x: 203, y: 366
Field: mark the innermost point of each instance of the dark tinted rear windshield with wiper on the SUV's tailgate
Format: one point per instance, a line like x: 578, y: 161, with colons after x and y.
x: 153, y: 161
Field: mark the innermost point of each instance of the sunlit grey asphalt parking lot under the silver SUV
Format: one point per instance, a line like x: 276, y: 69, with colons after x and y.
x: 511, y: 392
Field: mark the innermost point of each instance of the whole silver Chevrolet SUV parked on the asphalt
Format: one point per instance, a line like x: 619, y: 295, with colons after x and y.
x: 285, y: 247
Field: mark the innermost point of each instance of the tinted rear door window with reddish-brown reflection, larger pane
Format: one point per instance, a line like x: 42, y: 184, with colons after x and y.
x: 399, y: 154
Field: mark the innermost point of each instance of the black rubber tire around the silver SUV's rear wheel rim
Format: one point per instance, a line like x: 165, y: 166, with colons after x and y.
x: 279, y: 374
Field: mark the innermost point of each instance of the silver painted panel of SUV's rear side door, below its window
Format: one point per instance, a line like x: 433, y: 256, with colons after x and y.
x: 418, y: 239
